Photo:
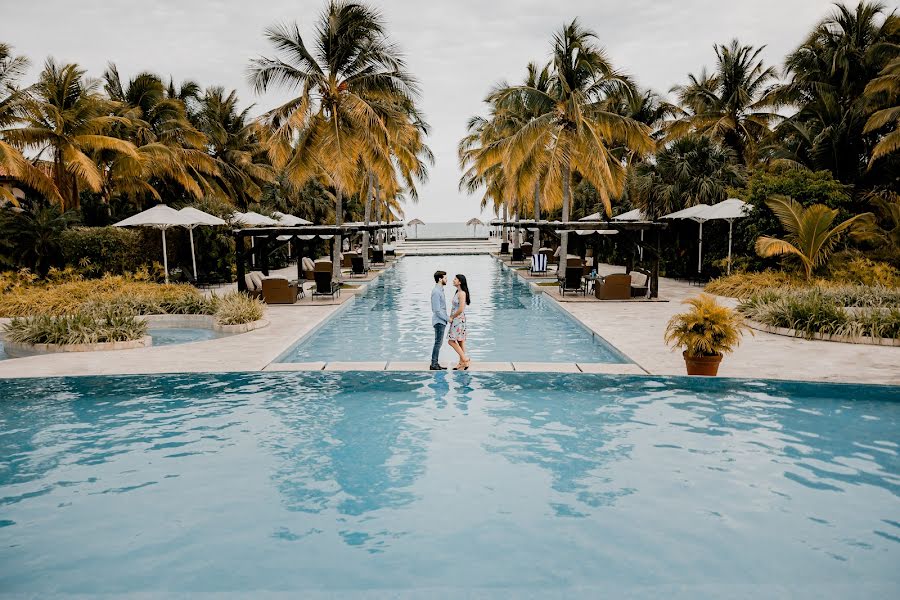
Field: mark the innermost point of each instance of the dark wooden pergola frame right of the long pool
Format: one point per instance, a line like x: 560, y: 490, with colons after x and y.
x: 629, y: 230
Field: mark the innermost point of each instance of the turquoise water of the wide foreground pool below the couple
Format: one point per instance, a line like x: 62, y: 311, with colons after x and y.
x: 443, y: 485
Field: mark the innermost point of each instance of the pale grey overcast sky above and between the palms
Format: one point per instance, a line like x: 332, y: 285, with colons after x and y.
x: 456, y: 48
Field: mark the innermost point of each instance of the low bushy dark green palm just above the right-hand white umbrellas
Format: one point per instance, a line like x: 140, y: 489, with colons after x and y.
x: 692, y: 170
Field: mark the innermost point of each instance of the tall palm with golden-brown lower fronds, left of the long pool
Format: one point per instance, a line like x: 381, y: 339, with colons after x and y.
x: 350, y: 79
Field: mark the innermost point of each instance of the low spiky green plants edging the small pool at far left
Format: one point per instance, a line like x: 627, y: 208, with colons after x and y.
x: 83, y: 327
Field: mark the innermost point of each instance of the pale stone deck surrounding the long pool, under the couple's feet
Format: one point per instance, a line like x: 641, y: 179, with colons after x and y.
x: 634, y: 327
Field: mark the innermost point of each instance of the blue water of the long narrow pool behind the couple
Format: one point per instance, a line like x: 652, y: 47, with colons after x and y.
x: 506, y: 321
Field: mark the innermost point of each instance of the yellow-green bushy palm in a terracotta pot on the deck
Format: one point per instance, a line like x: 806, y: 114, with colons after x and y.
x: 706, y: 332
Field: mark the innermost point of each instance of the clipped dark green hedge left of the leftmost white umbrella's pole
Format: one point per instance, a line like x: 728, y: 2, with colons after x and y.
x: 98, y: 250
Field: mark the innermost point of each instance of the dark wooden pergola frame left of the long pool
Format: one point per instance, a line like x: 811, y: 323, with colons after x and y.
x: 269, y: 239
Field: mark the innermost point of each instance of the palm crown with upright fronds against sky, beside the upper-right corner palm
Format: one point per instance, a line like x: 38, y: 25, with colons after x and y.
x: 728, y: 105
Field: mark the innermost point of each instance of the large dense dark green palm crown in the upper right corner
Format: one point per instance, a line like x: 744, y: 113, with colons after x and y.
x: 826, y: 80
